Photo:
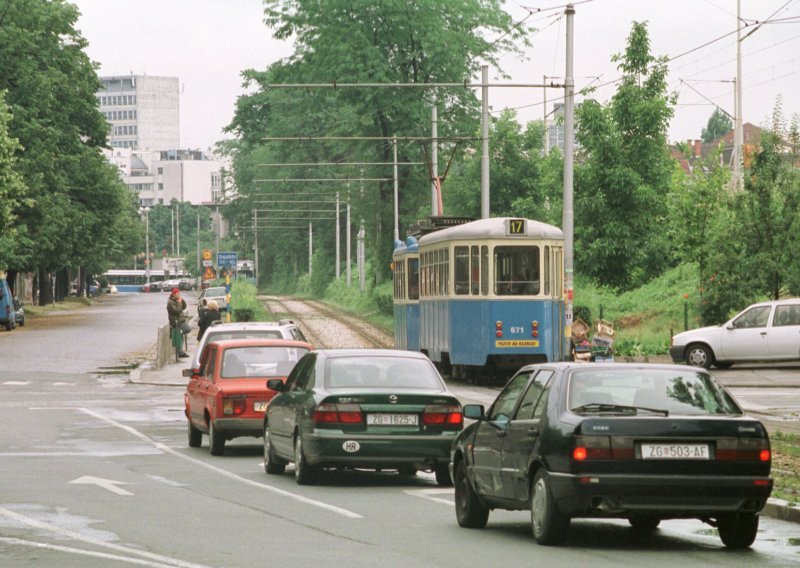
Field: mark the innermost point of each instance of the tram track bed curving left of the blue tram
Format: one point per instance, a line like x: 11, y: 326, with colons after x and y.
x: 327, y: 327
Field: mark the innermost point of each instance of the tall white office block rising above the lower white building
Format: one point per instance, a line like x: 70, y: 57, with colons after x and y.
x: 143, y: 112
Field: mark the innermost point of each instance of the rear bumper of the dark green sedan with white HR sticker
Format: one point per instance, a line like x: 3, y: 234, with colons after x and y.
x: 375, y: 451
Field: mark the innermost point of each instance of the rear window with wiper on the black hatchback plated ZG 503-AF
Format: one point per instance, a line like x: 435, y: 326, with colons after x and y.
x: 638, y: 391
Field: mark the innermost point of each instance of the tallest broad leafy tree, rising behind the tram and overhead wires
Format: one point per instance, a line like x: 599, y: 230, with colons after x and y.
x: 360, y: 41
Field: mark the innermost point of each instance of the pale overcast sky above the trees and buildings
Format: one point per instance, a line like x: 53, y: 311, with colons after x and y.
x: 207, y: 43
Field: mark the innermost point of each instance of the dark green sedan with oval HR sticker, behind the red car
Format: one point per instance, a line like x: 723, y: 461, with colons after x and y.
x: 361, y: 408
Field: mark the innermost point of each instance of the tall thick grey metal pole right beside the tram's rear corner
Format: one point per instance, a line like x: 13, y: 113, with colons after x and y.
x: 569, y: 150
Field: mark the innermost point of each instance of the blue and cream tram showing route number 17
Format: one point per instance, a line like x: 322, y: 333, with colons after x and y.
x: 490, y: 297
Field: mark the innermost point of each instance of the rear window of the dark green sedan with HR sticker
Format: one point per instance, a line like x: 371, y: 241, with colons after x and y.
x: 381, y: 372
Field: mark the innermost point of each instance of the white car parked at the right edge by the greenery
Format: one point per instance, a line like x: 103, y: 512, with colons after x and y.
x: 767, y: 331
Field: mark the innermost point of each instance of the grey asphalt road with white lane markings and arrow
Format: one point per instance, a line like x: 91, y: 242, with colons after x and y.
x: 96, y: 472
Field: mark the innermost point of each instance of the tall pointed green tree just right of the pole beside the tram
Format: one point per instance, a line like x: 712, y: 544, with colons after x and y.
x: 624, y: 174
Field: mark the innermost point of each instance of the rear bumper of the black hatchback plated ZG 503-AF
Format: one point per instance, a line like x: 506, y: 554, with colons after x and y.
x: 664, y: 496
